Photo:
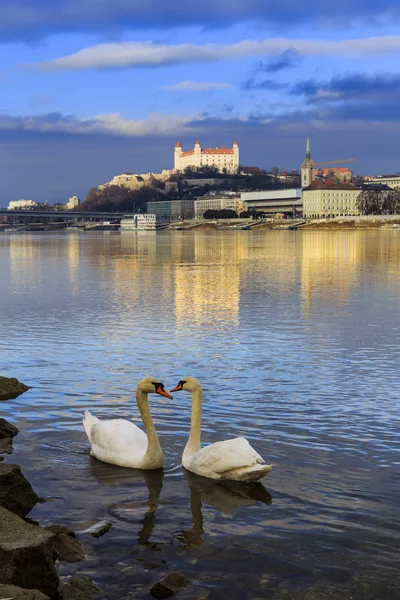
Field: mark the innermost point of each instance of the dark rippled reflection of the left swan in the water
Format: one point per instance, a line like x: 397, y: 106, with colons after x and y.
x: 143, y: 507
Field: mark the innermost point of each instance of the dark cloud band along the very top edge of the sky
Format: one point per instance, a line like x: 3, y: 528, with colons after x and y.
x: 29, y: 20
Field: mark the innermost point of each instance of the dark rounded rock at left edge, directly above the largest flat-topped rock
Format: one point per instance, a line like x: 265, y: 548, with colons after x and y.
x: 16, y: 493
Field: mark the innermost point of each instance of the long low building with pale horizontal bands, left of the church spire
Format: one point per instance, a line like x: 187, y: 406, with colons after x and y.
x: 275, y: 201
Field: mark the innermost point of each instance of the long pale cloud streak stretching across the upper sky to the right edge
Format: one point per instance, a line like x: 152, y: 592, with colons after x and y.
x: 149, y: 54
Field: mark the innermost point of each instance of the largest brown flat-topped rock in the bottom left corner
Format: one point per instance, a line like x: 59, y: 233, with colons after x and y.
x: 26, y: 554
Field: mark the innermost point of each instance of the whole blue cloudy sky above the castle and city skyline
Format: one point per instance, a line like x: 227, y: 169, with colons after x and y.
x: 93, y: 88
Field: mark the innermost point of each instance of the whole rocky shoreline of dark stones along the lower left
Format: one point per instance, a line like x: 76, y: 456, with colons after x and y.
x: 29, y: 553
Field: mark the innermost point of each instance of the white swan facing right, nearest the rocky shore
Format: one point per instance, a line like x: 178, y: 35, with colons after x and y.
x: 121, y: 442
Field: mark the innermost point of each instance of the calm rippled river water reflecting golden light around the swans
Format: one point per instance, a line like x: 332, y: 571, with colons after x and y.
x: 295, y: 338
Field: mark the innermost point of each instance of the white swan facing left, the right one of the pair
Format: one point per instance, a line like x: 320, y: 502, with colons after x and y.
x: 231, y: 459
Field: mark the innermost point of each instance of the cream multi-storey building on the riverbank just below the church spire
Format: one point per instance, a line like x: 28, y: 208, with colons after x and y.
x: 329, y: 199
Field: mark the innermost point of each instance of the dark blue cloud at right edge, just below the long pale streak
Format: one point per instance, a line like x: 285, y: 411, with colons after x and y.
x: 349, y: 86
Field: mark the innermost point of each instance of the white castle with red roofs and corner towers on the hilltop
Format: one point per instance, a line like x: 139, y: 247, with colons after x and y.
x: 225, y: 159
